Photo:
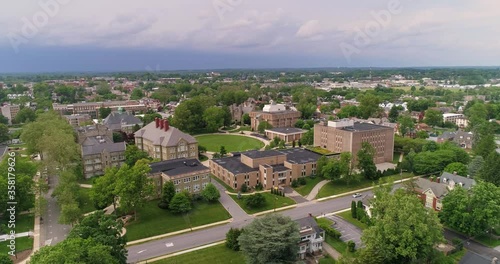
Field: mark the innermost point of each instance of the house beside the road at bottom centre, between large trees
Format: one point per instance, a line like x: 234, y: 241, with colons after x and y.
x: 311, y: 237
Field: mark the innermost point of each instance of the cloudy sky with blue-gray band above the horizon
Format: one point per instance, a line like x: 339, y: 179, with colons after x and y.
x: 159, y: 35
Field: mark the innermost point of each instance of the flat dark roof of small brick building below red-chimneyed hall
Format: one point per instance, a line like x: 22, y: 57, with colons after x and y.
x: 177, y: 166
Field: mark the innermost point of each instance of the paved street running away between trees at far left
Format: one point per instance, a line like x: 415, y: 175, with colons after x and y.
x: 51, y: 232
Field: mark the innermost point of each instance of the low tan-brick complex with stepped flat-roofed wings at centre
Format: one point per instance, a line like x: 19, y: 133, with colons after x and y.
x: 271, y: 168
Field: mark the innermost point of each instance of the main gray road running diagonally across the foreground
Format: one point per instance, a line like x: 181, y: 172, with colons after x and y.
x: 206, y: 236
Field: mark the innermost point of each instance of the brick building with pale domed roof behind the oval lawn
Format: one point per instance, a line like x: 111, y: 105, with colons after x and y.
x: 277, y: 115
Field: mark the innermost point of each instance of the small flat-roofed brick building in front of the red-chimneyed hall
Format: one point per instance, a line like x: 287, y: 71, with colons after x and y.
x: 186, y: 174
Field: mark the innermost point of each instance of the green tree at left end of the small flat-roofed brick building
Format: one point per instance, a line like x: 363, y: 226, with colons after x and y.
x: 134, y: 186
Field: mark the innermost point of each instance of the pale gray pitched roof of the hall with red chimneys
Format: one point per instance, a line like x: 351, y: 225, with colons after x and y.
x: 164, y: 138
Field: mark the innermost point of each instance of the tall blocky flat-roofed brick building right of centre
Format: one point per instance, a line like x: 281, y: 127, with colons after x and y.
x: 346, y: 136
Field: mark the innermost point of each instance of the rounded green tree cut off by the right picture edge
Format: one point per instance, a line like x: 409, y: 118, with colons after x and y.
x: 473, y: 211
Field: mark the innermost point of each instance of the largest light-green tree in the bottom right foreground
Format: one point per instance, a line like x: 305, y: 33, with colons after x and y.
x: 404, y: 231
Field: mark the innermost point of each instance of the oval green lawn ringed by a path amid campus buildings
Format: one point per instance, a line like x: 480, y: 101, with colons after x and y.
x: 230, y: 142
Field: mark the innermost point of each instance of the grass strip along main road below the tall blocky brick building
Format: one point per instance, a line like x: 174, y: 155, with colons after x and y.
x: 339, y: 186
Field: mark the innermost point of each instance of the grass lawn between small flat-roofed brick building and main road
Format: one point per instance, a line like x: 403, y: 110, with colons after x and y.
x: 153, y: 221
